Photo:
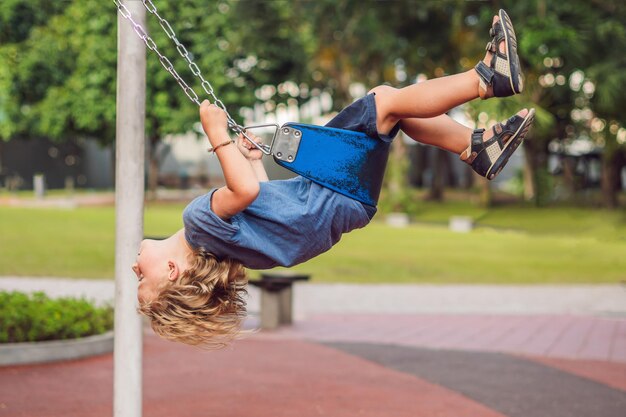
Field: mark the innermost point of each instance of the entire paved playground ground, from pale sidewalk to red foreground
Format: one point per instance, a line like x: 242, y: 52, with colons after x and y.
x: 557, y: 354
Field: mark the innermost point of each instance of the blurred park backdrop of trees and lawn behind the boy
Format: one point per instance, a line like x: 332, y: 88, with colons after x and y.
x: 276, y: 61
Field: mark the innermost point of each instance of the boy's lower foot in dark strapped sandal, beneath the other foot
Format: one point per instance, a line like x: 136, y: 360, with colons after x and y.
x: 489, y: 151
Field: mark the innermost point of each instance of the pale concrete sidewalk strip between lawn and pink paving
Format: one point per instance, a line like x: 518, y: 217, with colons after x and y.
x: 313, y: 298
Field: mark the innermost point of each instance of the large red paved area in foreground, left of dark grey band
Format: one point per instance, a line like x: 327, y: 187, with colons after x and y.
x: 255, y: 377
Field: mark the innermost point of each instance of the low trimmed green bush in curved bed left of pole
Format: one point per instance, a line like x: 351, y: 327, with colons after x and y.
x: 36, y: 317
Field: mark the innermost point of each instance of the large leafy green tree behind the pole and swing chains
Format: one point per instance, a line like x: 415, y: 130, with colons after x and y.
x: 59, y: 74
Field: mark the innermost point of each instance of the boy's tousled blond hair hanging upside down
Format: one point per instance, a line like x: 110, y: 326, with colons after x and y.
x: 205, y: 306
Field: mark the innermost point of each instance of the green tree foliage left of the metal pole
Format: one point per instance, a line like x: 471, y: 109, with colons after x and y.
x: 59, y: 81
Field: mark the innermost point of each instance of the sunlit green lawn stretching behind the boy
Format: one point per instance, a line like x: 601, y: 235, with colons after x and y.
x: 510, y: 245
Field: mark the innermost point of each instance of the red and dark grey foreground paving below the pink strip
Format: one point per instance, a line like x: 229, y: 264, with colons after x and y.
x: 269, y: 377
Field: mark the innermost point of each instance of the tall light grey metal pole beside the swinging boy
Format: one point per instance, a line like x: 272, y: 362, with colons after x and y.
x: 129, y: 197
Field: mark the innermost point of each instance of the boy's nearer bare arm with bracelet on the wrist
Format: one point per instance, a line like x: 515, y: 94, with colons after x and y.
x: 242, y: 186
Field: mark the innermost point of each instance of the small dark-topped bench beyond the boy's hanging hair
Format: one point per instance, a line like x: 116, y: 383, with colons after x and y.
x: 277, y: 297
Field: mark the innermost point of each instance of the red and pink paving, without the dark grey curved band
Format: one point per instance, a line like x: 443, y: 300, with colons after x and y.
x: 279, y: 373
